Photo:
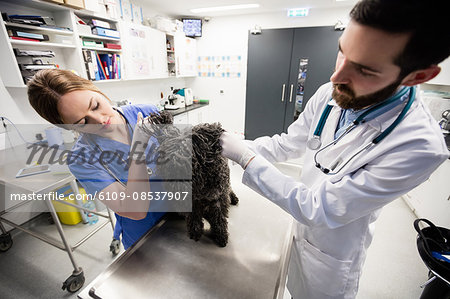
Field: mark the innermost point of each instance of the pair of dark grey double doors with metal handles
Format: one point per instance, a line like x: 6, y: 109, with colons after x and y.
x: 285, y: 68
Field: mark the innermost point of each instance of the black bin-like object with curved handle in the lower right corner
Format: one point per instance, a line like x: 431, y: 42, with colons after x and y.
x: 433, y: 243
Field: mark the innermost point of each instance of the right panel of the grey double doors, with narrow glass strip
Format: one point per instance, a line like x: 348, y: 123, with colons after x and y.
x: 313, y: 60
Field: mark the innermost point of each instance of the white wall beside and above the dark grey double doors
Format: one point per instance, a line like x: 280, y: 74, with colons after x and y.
x: 229, y: 36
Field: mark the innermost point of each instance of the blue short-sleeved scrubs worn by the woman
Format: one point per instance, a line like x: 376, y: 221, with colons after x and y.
x: 92, y: 175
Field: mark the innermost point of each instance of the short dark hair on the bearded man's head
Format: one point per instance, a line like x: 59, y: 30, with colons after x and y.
x: 425, y: 20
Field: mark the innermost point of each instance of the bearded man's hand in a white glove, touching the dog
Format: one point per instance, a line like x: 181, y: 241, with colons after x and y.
x: 235, y: 150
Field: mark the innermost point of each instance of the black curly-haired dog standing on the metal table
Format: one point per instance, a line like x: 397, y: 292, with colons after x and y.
x: 197, y: 151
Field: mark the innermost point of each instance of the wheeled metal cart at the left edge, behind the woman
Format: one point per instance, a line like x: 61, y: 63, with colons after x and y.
x: 12, y: 161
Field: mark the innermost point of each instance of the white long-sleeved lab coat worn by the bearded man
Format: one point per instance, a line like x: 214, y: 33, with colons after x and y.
x: 335, y: 213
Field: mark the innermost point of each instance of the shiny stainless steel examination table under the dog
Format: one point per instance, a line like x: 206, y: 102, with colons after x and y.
x: 165, y: 263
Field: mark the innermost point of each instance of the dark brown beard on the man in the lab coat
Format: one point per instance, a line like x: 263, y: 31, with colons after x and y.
x: 346, y: 97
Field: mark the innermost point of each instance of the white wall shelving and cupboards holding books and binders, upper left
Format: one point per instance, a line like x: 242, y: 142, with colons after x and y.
x: 159, y: 61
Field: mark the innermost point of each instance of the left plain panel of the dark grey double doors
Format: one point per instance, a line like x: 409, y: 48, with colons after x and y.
x: 269, y: 57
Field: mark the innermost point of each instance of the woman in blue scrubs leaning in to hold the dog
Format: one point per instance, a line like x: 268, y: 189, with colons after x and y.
x: 108, y: 159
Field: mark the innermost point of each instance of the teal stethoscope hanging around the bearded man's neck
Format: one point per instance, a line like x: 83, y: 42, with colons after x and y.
x: 314, y: 143
